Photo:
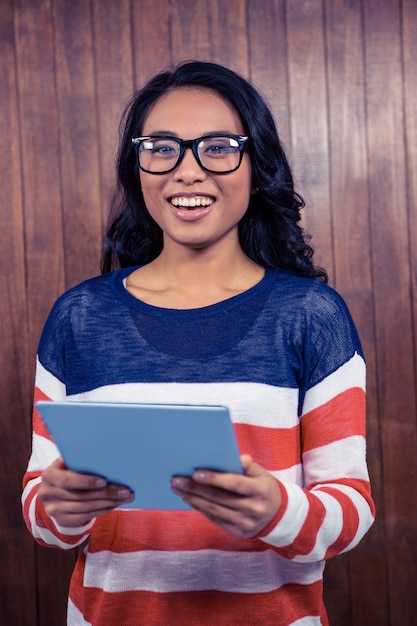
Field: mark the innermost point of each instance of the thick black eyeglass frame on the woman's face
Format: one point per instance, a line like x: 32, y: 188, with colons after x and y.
x: 193, y: 144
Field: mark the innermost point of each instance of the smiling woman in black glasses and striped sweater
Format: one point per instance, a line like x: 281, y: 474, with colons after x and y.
x: 214, y: 300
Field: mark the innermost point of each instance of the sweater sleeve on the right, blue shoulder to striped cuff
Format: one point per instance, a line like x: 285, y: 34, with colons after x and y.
x: 333, y: 510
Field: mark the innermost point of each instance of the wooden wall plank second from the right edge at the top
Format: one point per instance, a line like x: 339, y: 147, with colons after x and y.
x: 393, y: 315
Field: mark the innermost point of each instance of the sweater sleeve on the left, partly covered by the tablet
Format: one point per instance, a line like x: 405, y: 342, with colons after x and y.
x: 48, y: 386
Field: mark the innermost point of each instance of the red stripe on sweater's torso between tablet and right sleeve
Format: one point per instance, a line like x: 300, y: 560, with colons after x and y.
x: 273, y: 448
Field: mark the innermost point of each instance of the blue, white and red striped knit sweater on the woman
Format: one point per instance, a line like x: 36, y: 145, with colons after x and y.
x: 286, y: 359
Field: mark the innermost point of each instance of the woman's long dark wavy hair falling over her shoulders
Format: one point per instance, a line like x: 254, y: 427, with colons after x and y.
x: 269, y: 232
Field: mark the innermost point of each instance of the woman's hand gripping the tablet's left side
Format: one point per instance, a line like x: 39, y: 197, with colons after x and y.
x: 73, y: 499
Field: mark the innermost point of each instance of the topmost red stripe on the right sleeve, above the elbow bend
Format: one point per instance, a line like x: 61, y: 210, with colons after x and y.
x: 341, y: 417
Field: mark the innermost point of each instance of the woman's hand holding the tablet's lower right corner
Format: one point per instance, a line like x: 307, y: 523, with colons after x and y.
x: 241, y: 505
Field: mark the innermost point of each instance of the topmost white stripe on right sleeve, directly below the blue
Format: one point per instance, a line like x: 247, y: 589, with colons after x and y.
x: 351, y: 374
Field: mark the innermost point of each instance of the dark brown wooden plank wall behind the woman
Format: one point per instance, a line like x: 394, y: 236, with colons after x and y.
x: 341, y: 78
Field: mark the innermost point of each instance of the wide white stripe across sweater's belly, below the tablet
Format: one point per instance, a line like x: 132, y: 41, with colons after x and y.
x: 240, y: 572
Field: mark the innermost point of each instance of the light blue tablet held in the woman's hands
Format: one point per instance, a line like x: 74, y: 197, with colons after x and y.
x: 143, y: 446
